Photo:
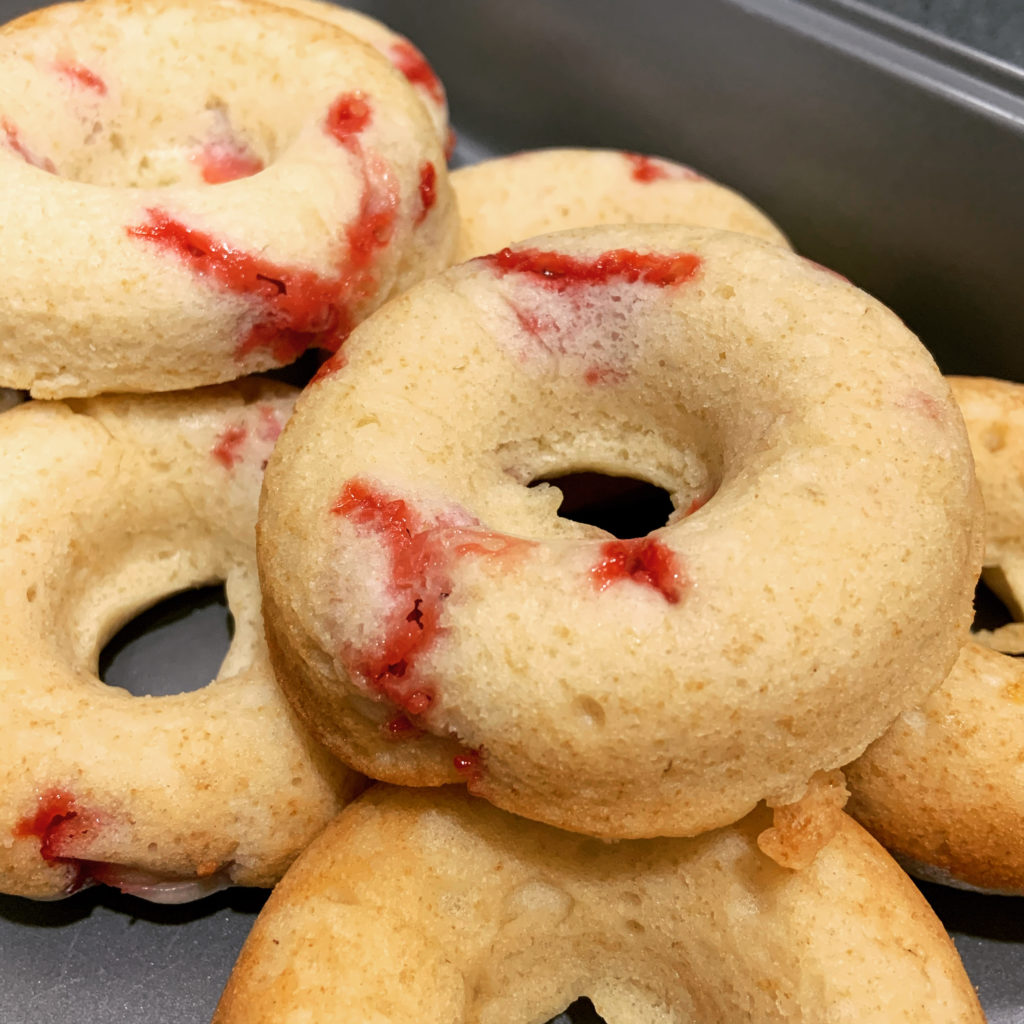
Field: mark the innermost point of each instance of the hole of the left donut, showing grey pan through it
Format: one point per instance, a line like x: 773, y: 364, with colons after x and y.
x: 175, y: 647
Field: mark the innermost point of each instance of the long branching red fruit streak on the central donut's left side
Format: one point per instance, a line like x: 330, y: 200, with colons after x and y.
x: 421, y: 557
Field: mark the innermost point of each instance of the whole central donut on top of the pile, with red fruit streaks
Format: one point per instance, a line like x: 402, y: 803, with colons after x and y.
x: 434, y: 620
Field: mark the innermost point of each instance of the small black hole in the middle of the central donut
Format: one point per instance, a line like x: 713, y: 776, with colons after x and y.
x: 624, y: 506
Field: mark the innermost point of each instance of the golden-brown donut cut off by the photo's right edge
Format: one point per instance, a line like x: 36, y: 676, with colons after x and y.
x: 944, y: 789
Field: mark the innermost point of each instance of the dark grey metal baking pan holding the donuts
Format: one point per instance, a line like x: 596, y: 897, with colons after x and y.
x: 885, y: 153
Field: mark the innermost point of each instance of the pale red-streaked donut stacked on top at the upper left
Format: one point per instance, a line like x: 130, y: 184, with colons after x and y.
x: 183, y: 207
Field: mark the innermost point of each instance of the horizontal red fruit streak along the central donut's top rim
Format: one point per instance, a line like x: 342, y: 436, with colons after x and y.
x: 561, y: 272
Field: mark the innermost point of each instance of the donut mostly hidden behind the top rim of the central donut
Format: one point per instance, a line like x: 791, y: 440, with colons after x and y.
x: 535, y: 193
